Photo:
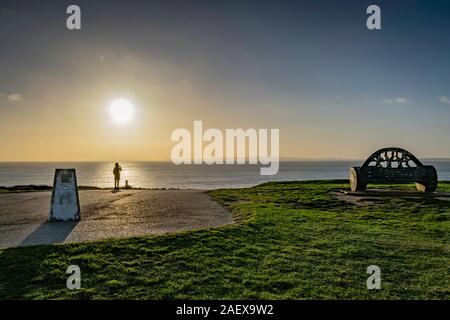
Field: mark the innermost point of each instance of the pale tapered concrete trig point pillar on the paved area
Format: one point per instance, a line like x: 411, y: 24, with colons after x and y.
x: 65, y: 203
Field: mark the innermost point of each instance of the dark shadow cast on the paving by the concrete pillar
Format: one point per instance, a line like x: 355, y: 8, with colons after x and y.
x: 49, y: 233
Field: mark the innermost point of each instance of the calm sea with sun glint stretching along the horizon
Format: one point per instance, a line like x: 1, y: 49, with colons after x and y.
x: 167, y: 175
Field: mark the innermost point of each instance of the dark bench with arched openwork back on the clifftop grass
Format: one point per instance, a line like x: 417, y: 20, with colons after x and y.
x: 393, y: 165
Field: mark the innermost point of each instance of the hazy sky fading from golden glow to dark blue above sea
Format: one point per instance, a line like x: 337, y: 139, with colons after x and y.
x: 311, y: 69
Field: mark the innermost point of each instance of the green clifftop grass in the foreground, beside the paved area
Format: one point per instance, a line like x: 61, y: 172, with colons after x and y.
x: 292, y: 240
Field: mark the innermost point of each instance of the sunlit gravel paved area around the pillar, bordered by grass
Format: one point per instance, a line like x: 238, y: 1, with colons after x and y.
x: 105, y: 215
